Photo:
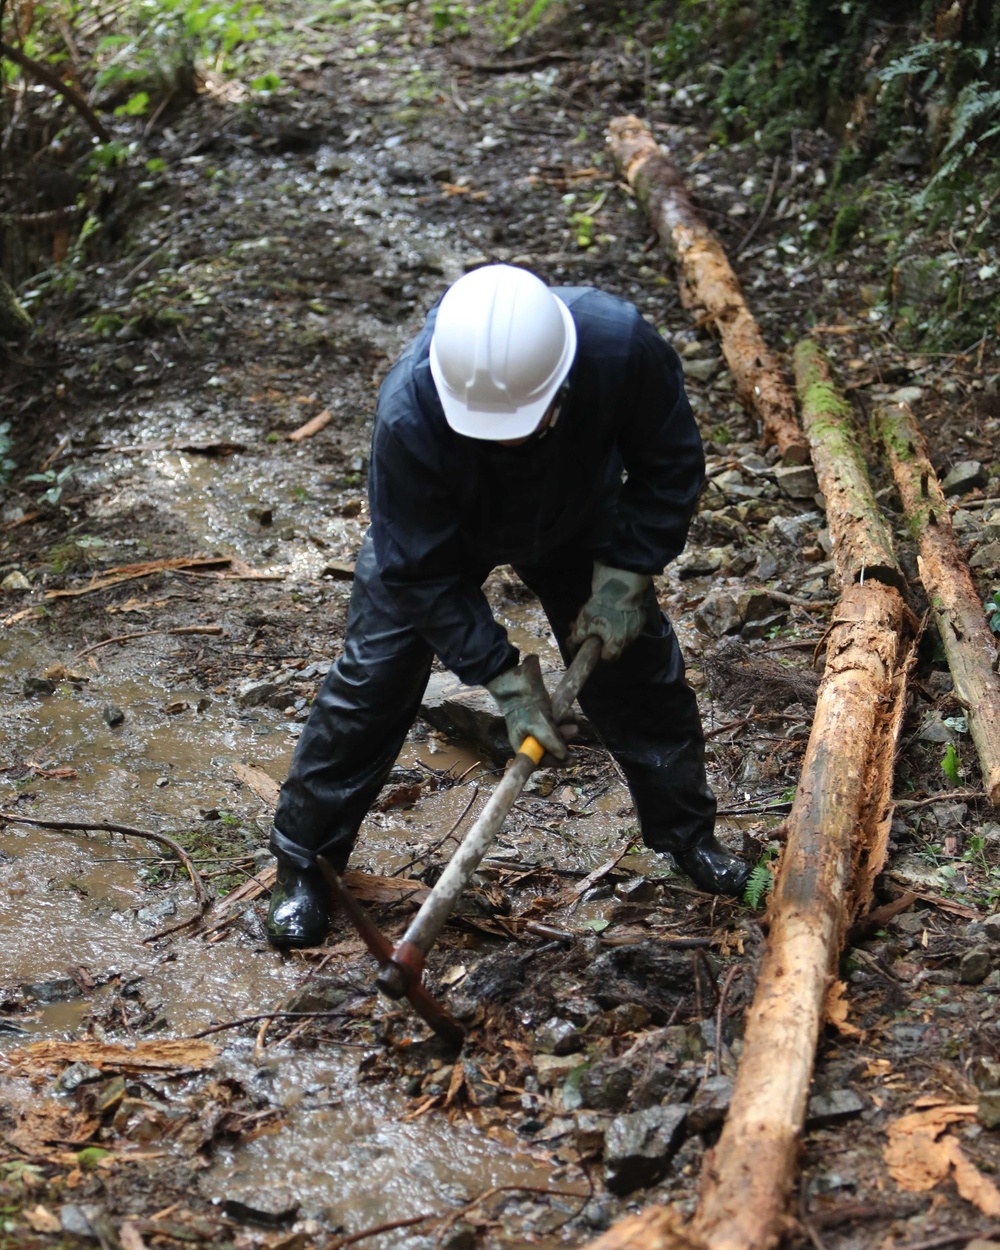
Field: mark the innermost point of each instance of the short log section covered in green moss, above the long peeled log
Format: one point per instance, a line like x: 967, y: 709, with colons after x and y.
x: 863, y: 544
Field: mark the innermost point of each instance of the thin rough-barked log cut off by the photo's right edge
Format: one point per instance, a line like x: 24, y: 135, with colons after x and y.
x: 969, y: 646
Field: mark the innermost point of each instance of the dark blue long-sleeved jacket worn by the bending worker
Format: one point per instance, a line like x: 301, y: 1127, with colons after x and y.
x: 619, y: 473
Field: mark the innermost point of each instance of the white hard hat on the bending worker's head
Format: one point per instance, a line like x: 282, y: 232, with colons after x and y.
x: 502, y: 348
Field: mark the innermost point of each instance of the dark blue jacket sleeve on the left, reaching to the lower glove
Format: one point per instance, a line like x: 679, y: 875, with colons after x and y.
x: 419, y: 553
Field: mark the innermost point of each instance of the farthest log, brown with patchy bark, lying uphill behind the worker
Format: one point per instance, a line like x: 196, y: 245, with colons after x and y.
x: 708, y: 281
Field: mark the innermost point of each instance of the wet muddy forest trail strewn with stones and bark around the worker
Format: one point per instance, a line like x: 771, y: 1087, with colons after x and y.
x: 176, y: 586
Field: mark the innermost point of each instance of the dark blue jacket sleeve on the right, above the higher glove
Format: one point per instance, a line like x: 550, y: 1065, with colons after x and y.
x: 663, y: 457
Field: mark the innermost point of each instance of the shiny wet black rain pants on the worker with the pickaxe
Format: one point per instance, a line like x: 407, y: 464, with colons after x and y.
x: 641, y: 707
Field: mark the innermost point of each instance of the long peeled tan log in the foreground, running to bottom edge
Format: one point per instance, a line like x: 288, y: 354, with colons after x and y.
x: 748, y: 1181
